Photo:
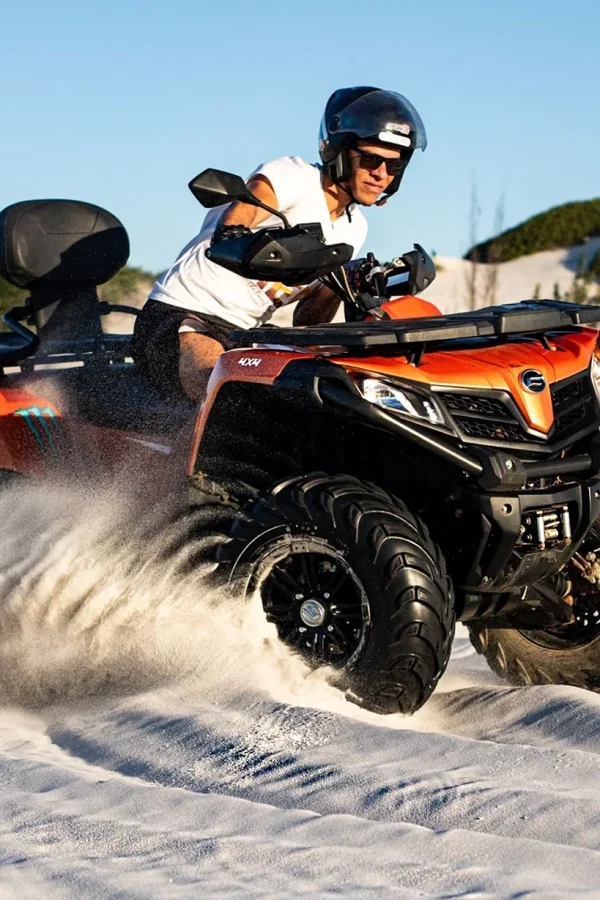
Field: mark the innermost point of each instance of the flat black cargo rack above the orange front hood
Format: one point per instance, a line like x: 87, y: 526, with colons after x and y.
x: 526, y: 317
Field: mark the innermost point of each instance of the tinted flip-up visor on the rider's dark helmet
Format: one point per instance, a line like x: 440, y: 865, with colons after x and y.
x: 383, y: 116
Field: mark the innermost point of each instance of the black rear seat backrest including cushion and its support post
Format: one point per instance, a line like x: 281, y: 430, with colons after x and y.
x: 61, y: 250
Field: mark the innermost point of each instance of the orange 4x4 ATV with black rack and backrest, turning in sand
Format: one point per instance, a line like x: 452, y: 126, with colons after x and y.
x: 373, y: 480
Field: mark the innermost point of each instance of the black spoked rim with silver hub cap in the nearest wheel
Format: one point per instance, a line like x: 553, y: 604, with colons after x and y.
x: 315, y: 600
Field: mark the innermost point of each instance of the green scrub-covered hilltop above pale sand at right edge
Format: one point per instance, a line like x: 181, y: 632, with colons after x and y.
x: 562, y: 226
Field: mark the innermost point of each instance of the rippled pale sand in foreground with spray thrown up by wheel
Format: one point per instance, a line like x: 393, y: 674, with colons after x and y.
x: 153, y: 746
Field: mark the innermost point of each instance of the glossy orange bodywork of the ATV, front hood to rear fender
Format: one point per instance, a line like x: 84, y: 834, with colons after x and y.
x: 37, y: 438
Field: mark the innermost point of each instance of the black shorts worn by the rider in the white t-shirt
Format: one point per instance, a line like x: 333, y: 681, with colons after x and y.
x: 155, y: 344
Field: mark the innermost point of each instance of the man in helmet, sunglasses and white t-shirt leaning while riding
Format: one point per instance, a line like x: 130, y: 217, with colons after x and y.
x: 367, y: 138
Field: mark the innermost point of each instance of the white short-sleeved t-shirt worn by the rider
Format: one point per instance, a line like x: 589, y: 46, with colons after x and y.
x: 195, y: 283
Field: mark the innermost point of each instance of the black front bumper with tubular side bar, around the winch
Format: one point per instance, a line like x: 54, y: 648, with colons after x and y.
x: 479, y: 529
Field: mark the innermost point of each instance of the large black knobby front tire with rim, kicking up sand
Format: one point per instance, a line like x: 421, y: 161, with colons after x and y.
x: 394, y: 608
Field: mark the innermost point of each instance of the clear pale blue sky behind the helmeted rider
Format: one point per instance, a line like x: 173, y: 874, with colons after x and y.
x: 121, y: 103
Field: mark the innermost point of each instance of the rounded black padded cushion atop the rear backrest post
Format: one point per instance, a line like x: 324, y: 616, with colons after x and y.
x: 60, y: 243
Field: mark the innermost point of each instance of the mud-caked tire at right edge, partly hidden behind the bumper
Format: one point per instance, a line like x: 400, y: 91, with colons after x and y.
x: 518, y: 659
